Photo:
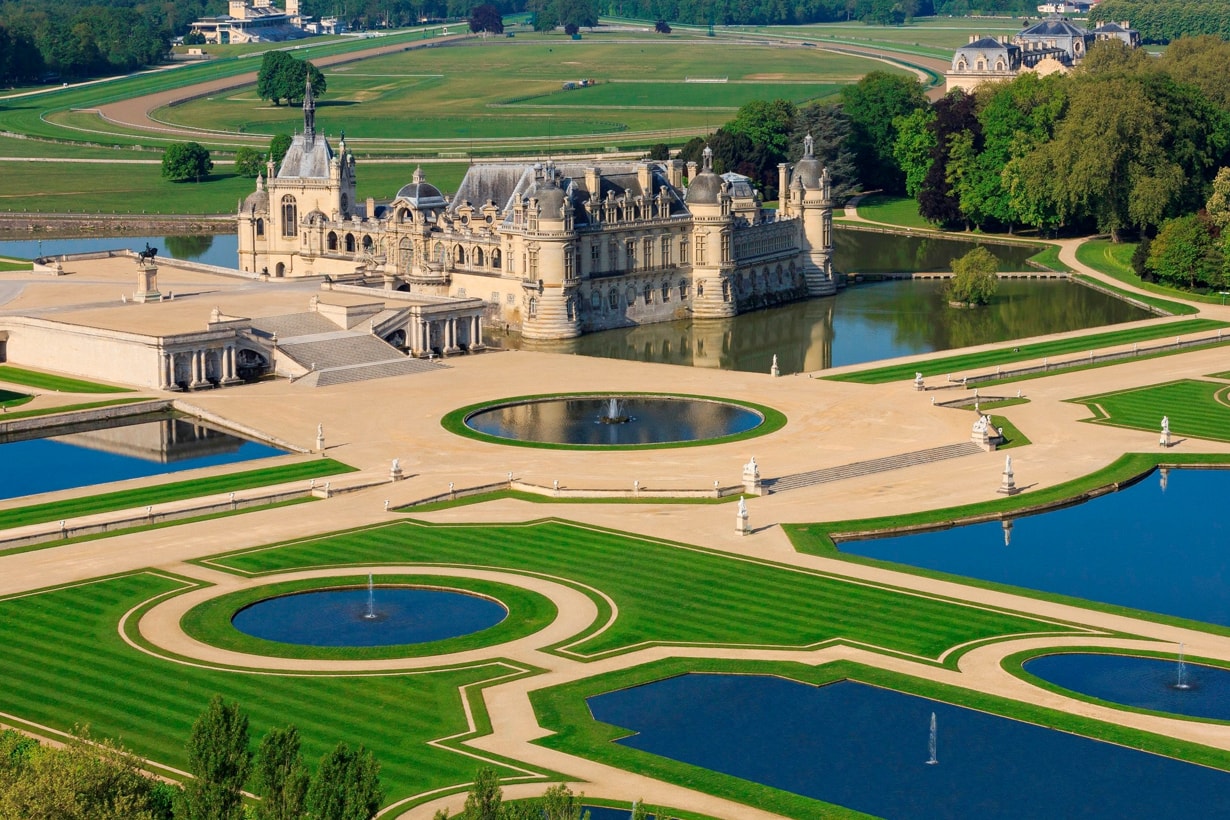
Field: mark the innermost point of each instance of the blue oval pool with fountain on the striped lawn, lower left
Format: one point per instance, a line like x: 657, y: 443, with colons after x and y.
x: 349, y: 618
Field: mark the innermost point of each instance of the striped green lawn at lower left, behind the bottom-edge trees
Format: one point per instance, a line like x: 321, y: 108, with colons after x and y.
x: 67, y: 642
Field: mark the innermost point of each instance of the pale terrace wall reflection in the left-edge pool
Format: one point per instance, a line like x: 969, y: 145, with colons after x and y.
x: 163, y: 441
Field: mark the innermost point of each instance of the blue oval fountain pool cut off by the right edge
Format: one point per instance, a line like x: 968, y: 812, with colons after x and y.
x: 1154, y: 684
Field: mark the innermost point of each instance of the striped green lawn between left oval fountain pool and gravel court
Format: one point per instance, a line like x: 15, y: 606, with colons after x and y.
x: 669, y: 593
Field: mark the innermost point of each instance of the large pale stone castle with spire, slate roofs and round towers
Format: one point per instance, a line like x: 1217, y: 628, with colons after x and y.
x: 554, y: 250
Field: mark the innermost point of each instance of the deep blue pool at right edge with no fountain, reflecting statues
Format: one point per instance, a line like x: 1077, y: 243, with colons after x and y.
x: 1146, y: 548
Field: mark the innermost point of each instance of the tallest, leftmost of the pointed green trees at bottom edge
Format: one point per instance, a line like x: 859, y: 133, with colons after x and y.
x: 220, y: 760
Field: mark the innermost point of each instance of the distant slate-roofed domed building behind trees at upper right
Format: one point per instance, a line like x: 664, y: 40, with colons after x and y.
x: 1051, y: 46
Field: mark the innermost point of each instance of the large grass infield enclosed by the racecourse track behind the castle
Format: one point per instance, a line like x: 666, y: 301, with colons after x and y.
x: 641, y: 87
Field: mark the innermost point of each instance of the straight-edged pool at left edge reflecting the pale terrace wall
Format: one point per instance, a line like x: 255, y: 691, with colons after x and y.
x: 100, y: 453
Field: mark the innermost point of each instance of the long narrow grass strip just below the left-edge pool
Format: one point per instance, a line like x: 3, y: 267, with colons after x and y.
x: 172, y: 492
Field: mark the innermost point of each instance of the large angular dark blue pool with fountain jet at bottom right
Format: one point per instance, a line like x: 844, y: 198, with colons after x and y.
x: 867, y: 748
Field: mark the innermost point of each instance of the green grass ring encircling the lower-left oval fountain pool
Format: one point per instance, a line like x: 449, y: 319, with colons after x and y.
x: 528, y: 613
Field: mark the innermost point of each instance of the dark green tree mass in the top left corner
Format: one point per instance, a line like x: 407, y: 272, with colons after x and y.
x: 44, y: 39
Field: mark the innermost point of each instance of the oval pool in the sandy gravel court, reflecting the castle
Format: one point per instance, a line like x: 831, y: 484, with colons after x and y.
x: 605, y: 421
